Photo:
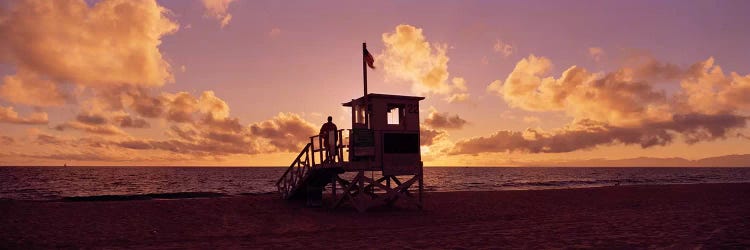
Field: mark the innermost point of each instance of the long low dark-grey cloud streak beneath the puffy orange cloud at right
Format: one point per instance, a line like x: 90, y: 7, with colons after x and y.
x: 587, y: 134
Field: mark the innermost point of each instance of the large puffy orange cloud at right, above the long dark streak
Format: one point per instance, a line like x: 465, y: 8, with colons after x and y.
x: 626, y: 96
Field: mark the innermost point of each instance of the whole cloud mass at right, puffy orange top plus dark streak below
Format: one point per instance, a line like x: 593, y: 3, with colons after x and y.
x: 622, y: 106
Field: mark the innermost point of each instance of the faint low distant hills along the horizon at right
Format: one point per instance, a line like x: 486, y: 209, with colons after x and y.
x: 719, y: 161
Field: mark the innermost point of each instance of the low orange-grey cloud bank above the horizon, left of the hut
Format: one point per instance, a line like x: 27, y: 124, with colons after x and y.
x: 286, y: 132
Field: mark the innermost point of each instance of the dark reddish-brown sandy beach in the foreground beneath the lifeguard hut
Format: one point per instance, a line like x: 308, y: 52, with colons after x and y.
x: 671, y: 216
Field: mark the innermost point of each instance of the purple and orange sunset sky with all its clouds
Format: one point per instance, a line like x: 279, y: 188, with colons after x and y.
x: 245, y: 83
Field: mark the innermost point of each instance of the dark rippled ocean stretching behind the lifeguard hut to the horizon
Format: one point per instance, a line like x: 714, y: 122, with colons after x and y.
x: 56, y: 183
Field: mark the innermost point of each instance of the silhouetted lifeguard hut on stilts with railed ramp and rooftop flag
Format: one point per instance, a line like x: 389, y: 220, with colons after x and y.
x: 381, y: 151
